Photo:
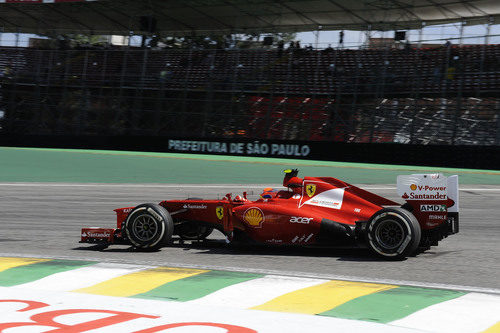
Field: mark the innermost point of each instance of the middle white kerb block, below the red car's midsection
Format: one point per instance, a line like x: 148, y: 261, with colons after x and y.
x: 256, y: 292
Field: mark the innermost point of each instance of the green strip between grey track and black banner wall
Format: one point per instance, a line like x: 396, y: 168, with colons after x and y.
x: 102, y: 166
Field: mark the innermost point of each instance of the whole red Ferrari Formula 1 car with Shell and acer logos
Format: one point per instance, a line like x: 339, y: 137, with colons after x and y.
x: 313, y: 211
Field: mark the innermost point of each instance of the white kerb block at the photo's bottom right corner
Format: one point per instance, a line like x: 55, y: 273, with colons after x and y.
x: 469, y: 313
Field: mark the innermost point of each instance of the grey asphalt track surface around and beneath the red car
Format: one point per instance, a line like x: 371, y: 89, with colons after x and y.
x: 44, y: 220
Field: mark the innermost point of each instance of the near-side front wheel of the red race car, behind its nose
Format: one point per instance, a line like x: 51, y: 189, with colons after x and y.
x: 149, y: 226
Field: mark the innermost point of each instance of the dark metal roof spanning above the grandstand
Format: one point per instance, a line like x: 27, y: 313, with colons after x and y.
x: 201, y: 17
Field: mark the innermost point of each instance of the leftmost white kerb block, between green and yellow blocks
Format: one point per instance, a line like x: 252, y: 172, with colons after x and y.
x: 81, y: 277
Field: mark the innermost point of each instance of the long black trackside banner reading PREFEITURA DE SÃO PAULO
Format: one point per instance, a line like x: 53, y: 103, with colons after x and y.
x: 478, y: 157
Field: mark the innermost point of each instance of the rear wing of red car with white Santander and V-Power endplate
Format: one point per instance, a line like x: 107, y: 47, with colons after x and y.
x: 433, y: 197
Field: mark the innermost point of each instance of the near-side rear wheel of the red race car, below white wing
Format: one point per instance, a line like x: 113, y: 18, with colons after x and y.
x: 393, y: 233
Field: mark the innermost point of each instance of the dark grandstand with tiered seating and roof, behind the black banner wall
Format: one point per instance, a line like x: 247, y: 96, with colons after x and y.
x: 445, y: 94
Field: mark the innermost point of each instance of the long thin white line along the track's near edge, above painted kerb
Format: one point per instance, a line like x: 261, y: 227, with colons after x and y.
x: 279, y: 273
